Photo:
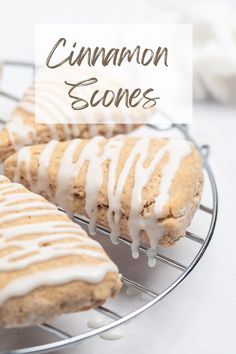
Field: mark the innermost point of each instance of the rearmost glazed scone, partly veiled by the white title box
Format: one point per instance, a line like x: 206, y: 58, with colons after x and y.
x: 52, y: 118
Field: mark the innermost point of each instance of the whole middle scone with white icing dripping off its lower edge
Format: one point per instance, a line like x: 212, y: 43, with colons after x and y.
x: 144, y: 188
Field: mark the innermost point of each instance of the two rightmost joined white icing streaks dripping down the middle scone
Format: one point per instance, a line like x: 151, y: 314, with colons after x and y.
x: 177, y: 150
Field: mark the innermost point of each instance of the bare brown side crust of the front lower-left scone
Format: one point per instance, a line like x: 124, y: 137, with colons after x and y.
x: 46, y: 303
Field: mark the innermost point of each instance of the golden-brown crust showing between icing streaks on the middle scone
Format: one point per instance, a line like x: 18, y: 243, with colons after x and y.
x: 184, y: 193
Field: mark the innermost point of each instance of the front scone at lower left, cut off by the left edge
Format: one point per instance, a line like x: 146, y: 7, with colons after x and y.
x: 48, y: 264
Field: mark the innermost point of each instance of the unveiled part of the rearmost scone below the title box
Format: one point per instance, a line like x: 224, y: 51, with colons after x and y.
x: 23, y: 131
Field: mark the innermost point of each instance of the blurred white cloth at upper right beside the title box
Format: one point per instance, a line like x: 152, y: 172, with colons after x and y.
x: 214, y: 39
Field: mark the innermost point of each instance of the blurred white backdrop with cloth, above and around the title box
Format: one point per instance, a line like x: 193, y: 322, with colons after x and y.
x: 214, y: 32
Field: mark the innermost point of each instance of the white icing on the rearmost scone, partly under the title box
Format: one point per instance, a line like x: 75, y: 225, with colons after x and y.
x: 53, y: 110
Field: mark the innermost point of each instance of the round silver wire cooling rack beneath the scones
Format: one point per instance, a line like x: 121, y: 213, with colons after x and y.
x: 151, y: 284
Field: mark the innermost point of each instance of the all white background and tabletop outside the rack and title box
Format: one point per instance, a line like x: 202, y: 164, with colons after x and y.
x: 199, y: 316
